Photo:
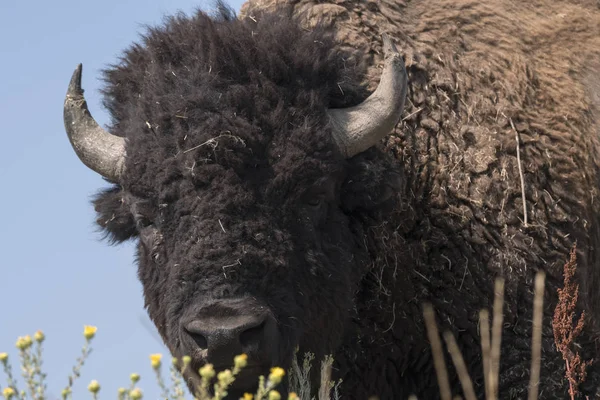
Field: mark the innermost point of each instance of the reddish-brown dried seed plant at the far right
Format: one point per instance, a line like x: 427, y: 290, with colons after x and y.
x: 566, y: 330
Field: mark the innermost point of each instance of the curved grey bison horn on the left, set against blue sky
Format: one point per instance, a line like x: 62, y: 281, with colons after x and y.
x: 96, y: 148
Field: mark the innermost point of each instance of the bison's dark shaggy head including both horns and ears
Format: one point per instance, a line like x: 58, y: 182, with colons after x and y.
x: 239, y: 157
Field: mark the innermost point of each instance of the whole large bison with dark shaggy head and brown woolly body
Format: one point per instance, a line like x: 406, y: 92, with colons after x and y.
x: 286, y: 193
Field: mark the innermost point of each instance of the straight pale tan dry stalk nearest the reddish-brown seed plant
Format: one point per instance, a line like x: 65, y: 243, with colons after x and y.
x: 536, y: 335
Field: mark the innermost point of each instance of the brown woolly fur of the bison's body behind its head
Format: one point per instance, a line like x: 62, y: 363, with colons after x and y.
x: 473, y: 67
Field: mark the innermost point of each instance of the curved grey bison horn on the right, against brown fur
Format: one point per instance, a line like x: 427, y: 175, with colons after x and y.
x: 357, y: 128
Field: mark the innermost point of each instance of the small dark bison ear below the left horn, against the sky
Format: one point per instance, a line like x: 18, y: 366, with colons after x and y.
x: 114, y: 215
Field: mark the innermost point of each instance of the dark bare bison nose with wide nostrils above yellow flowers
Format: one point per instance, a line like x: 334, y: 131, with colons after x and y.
x: 225, y: 337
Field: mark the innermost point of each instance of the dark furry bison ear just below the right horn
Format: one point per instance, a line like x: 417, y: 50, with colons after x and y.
x: 374, y: 183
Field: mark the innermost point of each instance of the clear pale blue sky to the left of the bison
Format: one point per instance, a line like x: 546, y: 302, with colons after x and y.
x: 56, y: 274
